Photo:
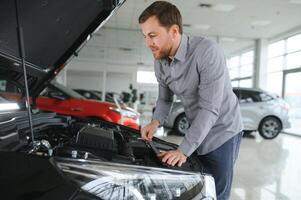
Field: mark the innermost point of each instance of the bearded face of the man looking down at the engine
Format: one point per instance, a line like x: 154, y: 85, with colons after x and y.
x: 157, y: 38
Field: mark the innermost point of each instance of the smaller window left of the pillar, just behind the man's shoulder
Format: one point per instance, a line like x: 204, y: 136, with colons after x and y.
x: 241, y: 69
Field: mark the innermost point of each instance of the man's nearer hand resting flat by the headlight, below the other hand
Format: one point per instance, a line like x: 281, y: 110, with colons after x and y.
x: 173, y: 157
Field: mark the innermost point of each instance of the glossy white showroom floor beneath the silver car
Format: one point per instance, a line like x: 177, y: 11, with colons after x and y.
x: 266, y: 169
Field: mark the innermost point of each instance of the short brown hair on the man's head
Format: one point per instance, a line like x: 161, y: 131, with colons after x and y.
x: 167, y: 14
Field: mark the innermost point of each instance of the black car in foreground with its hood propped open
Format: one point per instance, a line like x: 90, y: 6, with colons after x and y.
x: 47, y: 156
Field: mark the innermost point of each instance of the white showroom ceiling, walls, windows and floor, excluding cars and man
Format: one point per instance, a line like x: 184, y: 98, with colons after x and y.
x: 262, y: 44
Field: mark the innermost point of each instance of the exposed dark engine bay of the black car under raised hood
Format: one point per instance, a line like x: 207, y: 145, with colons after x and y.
x: 60, y: 136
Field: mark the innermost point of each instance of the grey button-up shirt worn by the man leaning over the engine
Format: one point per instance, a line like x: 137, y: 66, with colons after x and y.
x: 198, y: 75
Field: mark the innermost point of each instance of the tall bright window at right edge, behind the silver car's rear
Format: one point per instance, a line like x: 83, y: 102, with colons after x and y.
x: 284, y: 63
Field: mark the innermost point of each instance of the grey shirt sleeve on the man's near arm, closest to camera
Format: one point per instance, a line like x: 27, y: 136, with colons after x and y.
x: 212, y: 71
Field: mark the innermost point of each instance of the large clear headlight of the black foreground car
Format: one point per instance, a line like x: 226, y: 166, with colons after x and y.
x: 116, y: 181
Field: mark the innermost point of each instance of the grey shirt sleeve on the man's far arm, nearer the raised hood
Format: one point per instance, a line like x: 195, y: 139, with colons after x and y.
x: 165, y: 98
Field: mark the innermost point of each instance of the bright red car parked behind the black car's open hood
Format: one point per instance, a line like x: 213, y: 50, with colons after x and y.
x: 57, y: 98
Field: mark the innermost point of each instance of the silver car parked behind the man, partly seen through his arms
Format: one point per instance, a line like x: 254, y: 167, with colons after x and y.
x: 261, y: 111
